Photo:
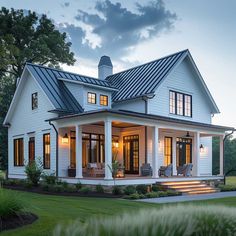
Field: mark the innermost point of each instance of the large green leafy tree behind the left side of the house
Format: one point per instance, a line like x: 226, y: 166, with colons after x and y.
x: 25, y: 37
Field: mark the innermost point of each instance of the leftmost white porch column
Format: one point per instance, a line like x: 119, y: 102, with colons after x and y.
x: 78, y: 151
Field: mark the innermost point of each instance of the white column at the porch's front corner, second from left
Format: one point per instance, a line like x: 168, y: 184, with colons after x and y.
x: 108, y: 148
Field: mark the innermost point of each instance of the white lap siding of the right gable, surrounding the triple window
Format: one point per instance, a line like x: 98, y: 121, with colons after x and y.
x: 184, y: 80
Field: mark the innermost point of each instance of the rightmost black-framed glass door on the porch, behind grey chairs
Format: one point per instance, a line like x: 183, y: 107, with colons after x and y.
x: 183, y: 151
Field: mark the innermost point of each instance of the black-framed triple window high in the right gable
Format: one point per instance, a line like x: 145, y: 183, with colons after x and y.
x: 180, y: 104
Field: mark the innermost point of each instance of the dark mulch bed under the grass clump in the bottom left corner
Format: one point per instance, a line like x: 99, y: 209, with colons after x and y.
x: 17, y: 221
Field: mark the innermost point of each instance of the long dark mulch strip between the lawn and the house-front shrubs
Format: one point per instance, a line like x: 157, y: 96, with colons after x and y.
x: 69, y: 194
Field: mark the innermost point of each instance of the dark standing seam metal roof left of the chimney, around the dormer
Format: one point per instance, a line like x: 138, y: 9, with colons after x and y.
x: 60, y: 96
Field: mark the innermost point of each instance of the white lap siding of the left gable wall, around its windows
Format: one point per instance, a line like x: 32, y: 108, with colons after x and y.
x: 27, y: 123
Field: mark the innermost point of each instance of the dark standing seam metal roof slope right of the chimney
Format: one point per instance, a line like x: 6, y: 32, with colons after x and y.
x: 144, y: 79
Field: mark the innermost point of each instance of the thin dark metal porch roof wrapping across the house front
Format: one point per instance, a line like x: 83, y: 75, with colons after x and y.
x: 145, y: 116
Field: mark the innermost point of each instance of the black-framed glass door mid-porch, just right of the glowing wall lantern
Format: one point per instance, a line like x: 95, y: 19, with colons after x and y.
x: 131, y: 154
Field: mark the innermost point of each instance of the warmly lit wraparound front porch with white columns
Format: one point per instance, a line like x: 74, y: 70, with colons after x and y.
x: 132, y: 142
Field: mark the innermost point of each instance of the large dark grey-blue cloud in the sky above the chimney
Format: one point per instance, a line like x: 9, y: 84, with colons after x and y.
x: 119, y: 29
